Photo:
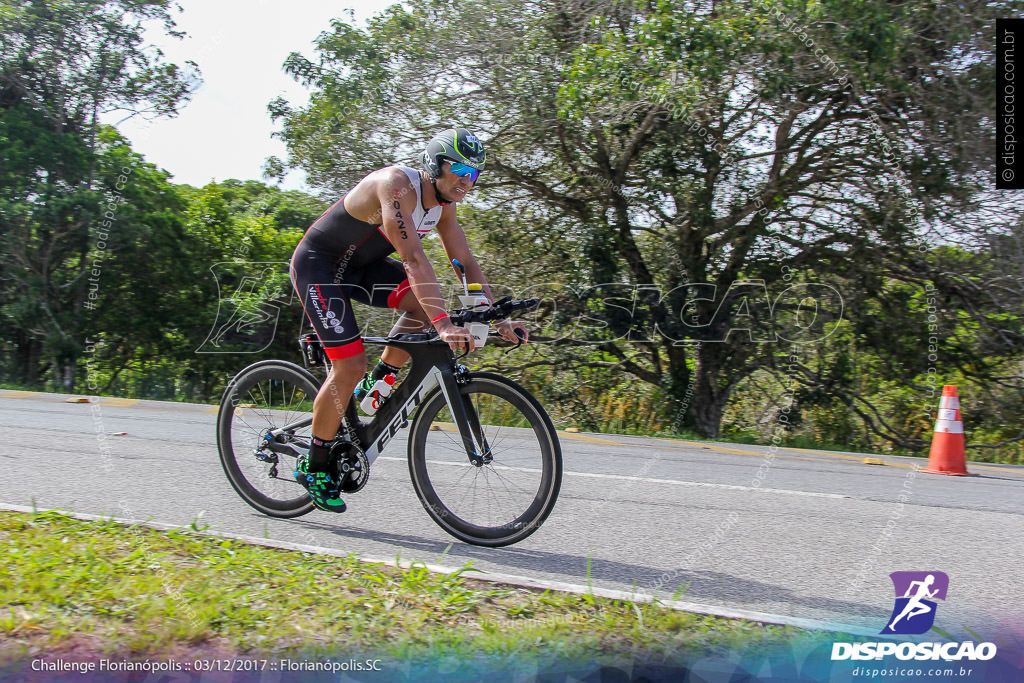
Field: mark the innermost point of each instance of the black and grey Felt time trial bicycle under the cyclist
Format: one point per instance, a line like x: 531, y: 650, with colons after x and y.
x: 484, y: 456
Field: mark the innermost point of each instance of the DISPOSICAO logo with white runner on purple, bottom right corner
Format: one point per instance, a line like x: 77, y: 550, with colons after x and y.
x: 914, y: 614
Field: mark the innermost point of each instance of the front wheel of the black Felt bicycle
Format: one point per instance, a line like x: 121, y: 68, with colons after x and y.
x: 505, y: 500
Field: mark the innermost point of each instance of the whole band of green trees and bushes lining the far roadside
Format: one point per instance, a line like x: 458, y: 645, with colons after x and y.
x: 659, y: 174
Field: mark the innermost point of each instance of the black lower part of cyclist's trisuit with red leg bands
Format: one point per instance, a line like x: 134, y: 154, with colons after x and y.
x: 327, y: 283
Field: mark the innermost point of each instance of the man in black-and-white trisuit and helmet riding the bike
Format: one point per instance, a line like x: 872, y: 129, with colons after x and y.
x: 345, y: 258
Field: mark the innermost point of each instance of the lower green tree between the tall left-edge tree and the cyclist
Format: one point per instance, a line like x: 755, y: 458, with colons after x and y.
x: 194, y: 287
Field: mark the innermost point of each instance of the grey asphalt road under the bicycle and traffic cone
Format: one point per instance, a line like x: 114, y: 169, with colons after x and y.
x: 805, y: 535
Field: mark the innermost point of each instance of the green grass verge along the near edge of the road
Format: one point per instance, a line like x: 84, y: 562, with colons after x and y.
x: 106, y: 588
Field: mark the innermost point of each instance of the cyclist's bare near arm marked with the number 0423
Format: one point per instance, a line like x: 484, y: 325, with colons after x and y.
x: 398, y: 204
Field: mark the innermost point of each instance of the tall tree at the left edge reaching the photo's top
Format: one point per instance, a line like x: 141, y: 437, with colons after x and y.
x: 63, y: 65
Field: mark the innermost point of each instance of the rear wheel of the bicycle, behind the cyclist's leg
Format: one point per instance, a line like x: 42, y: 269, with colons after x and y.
x: 255, y: 401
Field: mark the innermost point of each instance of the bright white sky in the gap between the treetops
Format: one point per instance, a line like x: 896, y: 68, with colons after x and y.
x: 240, y: 47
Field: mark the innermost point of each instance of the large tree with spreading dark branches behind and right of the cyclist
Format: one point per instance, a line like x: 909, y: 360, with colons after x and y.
x: 680, y: 153
